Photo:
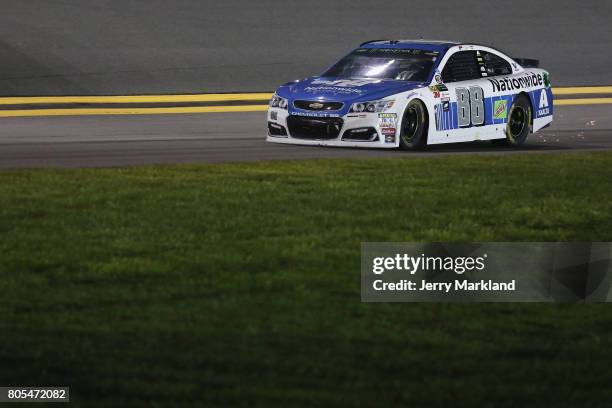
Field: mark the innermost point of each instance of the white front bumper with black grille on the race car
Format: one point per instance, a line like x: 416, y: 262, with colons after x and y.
x: 354, y: 130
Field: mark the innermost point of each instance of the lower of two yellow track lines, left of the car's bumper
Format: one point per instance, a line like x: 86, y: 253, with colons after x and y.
x: 131, y: 111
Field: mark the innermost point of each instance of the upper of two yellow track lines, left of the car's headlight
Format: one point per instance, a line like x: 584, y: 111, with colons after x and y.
x: 27, y: 100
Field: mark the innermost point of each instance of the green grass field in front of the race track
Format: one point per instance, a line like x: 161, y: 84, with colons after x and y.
x: 238, y: 284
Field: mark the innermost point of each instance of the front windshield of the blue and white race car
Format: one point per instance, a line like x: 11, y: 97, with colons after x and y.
x: 385, y: 63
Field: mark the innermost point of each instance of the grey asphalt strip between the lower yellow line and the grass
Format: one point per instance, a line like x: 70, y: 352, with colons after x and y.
x: 93, y: 141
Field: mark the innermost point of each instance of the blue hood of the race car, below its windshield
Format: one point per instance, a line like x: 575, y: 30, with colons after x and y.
x: 344, y: 90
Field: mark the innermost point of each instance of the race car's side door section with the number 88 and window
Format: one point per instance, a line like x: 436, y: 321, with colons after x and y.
x: 462, y: 114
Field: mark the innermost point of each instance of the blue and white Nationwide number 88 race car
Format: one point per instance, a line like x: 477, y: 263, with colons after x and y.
x: 409, y: 94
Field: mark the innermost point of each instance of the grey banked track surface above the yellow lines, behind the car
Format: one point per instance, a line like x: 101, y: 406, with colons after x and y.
x: 159, y: 46
